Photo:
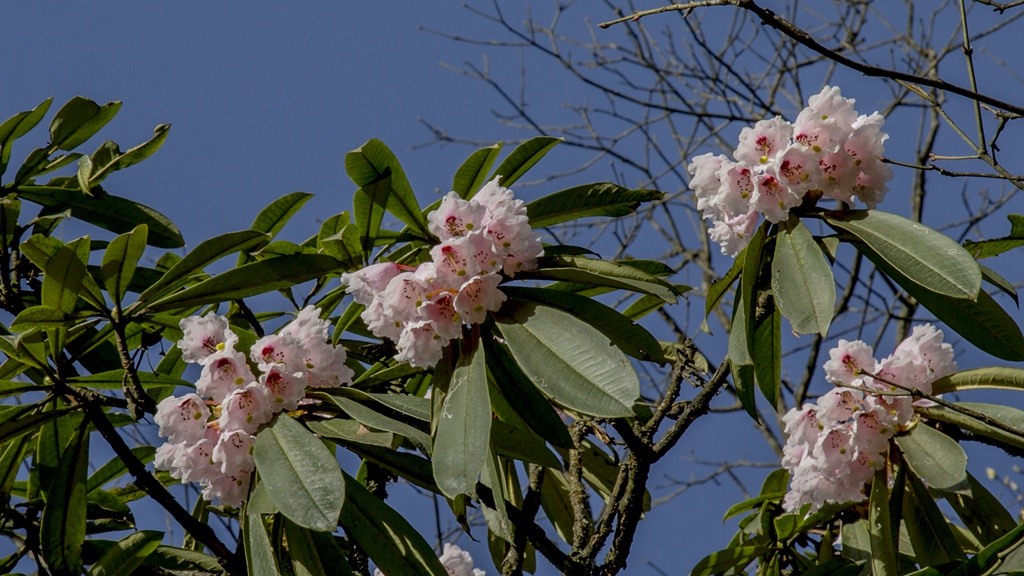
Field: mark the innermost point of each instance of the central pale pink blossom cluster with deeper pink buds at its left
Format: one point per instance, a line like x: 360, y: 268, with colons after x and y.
x: 422, y: 309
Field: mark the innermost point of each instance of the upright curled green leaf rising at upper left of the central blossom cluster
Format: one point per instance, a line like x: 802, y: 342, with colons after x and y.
x: 370, y: 163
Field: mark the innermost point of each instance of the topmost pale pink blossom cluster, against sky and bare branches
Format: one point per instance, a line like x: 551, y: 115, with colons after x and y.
x: 830, y: 151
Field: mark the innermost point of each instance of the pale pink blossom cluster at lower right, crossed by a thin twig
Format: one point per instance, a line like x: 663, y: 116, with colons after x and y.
x: 834, y: 447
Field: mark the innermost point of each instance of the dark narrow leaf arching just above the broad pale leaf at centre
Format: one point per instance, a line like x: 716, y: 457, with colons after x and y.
x: 630, y: 338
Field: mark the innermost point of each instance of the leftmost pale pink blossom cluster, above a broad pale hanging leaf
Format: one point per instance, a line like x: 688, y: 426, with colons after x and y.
x: 211, y: 441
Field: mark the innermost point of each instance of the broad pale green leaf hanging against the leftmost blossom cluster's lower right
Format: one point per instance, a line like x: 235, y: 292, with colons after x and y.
x: 302, y: 476
